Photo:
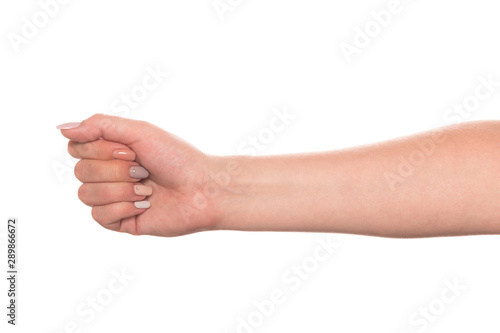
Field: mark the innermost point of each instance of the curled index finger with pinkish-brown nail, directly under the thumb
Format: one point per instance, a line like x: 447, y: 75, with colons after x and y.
x: 100, y: 150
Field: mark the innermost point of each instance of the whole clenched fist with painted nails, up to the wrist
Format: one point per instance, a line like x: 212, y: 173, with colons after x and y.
x: 109, y: 146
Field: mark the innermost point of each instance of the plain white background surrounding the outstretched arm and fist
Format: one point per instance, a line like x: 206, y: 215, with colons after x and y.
x: 225, y: 77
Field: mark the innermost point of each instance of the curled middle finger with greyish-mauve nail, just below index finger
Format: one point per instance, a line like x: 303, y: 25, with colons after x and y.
x: 100, y: 171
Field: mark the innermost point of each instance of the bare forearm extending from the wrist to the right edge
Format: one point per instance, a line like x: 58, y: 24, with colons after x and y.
x: 450, y: 187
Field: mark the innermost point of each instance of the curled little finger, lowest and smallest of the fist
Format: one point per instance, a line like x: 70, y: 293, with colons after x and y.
x: 109, y: 216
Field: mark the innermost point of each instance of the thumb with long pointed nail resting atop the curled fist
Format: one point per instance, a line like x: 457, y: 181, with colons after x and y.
x: 108, y: 127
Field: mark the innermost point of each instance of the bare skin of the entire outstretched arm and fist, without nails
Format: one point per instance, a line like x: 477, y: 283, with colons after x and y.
x: 448, y: 186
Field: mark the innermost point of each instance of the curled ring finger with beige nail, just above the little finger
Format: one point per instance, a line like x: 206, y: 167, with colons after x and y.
x: 97, y: 194
